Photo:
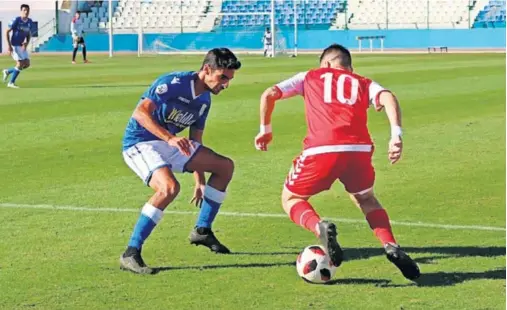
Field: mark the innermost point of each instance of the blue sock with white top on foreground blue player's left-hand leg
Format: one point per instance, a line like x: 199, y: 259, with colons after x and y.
x: 149, y: 218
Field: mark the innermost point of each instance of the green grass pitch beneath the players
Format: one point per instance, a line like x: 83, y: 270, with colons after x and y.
x: 60, y: 138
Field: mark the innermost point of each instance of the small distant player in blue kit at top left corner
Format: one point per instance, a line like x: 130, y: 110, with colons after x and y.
x: 17, y: 44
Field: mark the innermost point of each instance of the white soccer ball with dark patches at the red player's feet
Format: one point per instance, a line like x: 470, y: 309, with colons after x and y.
x: 314, y: 265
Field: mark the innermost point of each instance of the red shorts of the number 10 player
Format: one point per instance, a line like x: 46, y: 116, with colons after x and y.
x: 313, y: 174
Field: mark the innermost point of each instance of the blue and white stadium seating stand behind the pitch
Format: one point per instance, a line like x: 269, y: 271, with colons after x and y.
x: 203, y: 16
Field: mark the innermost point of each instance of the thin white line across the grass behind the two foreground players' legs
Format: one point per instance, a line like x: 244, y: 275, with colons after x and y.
x: 240, y: 214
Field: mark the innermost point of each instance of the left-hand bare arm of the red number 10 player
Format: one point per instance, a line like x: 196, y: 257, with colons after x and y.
x: 268, y: 100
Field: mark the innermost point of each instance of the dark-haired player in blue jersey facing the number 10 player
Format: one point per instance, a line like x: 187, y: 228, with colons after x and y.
x: 152, y: 150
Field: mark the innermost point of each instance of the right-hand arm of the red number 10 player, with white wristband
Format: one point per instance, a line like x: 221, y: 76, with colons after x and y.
x: 390, y: 103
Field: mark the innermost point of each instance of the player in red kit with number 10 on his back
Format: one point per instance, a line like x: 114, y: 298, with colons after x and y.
x: 337, y: 146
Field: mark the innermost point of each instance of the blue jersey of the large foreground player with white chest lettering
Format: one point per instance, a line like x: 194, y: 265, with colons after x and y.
x: 177, y: 107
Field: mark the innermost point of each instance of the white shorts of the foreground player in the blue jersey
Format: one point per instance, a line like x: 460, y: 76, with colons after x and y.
x: 145, y: 158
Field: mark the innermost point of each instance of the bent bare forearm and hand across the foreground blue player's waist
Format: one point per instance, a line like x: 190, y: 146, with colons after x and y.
x: 143, y: 114
